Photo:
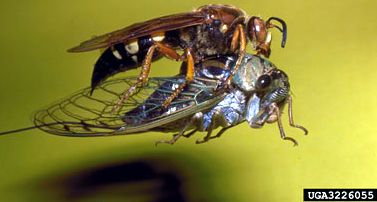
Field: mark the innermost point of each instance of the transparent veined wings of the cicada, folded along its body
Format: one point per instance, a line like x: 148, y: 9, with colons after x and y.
x: 82, y: 114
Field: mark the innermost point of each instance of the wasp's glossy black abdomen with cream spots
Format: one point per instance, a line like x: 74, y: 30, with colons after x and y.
x: 122, y: 57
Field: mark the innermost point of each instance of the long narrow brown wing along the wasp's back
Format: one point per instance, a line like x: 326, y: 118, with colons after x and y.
x: 162, y: 24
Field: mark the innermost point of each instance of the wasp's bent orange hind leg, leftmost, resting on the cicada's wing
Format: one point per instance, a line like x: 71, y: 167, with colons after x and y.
x: 146, y: 66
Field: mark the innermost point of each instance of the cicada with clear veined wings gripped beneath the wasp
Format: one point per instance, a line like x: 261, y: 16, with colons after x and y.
x: 257, y: 95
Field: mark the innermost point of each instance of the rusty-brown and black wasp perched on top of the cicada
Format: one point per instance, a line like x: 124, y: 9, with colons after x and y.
x: 209, y: 30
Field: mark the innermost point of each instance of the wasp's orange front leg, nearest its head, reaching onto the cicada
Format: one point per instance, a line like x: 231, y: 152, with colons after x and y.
x: 239, y: 35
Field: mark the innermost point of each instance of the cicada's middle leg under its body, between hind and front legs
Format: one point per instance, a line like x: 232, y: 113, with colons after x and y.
x: 217, y: 119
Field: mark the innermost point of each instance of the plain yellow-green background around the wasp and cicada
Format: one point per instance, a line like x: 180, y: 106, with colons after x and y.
x: 330, y: 56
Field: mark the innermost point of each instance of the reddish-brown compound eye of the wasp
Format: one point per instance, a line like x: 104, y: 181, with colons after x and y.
x: 257, y: 31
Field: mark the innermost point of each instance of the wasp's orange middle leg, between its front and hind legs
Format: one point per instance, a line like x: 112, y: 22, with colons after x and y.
x: 189, y: 78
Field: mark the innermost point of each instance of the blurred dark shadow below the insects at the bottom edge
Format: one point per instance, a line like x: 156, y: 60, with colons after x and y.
x: 141, y: 180
